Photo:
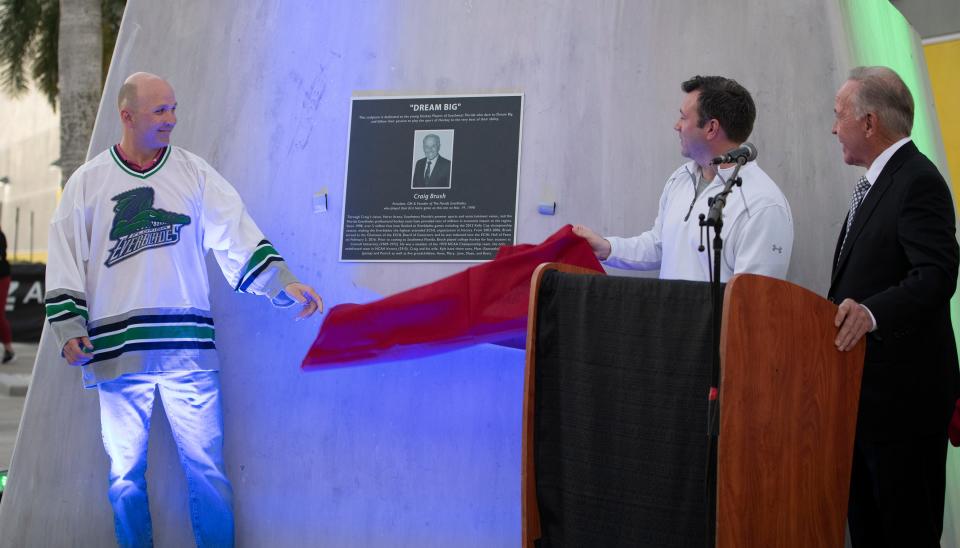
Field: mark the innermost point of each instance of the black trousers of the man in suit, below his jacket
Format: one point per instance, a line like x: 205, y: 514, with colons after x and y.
x: 896, y: 492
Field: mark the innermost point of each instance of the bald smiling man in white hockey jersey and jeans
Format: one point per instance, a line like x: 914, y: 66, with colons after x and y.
x: 127, y: 299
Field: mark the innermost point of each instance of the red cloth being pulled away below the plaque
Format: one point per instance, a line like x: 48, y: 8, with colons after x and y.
x: 484, y: 303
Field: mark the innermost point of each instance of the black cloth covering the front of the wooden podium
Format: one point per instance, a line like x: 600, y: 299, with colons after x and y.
x: 620, y: 443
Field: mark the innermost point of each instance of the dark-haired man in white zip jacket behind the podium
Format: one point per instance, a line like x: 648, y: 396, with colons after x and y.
x: 716, y: 116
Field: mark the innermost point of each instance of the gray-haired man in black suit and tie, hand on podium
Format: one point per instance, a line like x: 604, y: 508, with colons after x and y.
x: 894, y: 271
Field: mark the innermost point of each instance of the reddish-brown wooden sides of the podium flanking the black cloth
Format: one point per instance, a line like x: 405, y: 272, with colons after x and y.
x: 788, y: 403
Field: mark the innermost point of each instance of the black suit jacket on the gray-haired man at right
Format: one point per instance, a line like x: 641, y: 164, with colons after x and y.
x: 901, y: 262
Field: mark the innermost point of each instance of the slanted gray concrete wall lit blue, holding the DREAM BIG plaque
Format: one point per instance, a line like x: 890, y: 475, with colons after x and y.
x: 421, y: 453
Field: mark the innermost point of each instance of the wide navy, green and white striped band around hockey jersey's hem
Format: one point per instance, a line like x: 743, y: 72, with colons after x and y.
x: 152, y: 332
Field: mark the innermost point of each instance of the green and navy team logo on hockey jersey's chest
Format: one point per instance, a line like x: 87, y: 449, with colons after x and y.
x: 138, y: 226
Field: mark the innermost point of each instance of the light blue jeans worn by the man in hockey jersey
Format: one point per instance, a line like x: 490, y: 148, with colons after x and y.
x: 191, y: 400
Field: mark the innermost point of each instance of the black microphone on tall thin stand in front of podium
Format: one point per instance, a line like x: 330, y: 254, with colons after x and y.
x: 714, y: 218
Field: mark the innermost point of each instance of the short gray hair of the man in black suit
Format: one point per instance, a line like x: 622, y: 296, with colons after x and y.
x: 882, y: 92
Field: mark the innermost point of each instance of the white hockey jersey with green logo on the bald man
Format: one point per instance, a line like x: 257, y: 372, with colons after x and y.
x: 126, y: 262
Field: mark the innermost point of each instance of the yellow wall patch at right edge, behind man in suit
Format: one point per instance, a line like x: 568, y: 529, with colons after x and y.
x: 943, y: 60
